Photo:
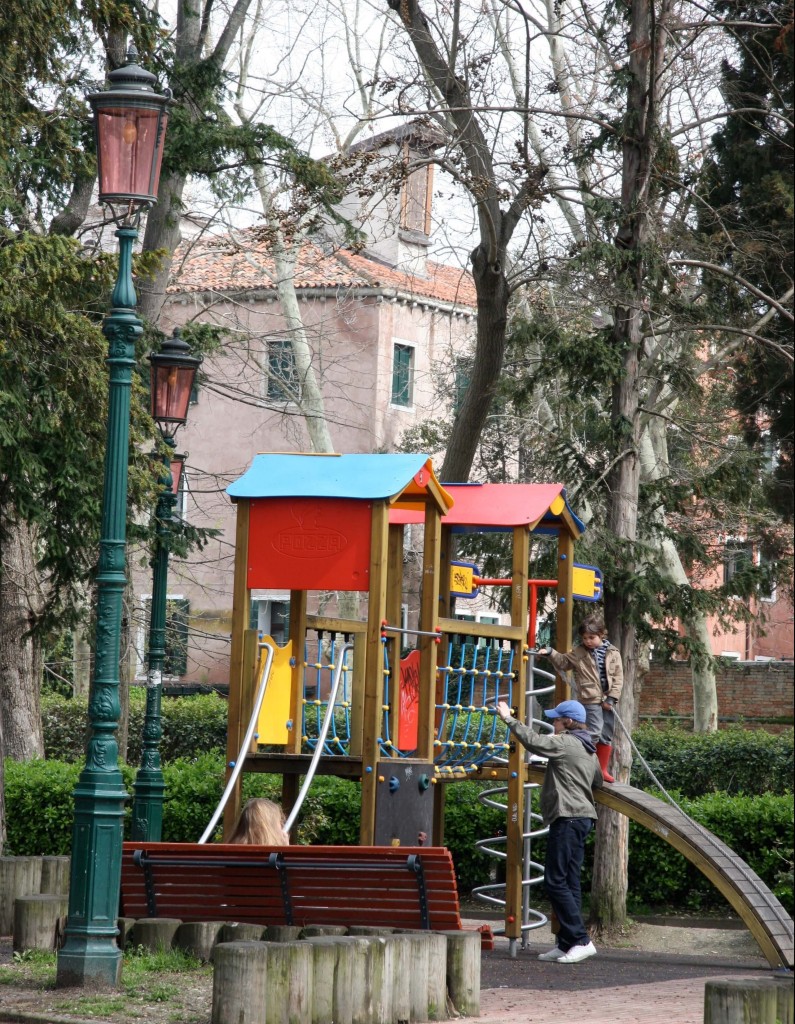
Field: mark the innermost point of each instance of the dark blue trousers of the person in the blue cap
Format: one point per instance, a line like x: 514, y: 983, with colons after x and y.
x: 566, y: 850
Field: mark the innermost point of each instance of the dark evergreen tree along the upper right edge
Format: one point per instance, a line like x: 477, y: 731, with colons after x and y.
x: 750, y: 223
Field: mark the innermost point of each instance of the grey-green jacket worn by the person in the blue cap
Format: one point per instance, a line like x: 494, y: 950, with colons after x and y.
x: 571, y: 775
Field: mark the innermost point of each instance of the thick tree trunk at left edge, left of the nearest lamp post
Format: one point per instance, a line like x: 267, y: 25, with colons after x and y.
x: 21, y: 656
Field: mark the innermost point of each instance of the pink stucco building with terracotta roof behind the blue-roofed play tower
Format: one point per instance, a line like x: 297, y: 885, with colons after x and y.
x: 387, y: 344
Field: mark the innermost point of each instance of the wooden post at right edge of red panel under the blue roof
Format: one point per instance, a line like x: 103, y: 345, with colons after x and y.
x: 374, y: 690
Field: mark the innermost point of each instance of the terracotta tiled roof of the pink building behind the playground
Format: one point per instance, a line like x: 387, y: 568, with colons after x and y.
x: 242, y: 263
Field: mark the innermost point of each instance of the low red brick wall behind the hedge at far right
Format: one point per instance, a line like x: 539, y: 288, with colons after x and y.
x: 757, y: 692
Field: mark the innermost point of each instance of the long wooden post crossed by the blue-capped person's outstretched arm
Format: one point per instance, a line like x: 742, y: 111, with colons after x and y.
x: 516, y: 824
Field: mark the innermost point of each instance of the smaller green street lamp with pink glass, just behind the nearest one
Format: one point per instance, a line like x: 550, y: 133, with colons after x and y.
x: 174, y: 371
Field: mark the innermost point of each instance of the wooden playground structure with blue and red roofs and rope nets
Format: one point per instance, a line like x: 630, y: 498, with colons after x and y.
x: 341, y: 700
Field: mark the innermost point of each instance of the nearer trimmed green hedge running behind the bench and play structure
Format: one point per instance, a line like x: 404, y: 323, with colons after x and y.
x: 39, y: 818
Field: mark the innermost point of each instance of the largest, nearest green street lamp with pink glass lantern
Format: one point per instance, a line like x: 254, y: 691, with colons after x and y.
x: 131, y: 125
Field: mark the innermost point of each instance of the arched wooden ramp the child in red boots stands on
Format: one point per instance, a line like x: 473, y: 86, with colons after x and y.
x: 749, y: 897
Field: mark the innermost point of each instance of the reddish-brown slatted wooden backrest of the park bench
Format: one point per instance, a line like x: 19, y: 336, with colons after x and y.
x: 397, y: 887
